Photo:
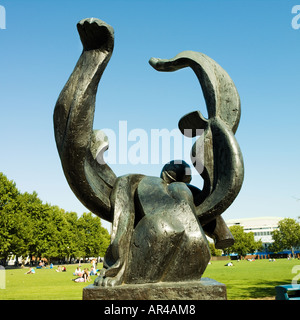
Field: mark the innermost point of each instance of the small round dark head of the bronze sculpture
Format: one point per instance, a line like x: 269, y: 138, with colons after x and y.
x: 176, y: 171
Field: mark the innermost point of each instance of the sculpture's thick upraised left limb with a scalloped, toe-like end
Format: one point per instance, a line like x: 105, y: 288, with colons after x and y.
x: 77, y: 143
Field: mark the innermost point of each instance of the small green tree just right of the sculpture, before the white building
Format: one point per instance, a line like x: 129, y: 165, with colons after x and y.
x: 244, y: 242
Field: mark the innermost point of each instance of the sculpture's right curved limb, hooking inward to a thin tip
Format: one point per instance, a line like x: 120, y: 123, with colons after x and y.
x: 223, y: 163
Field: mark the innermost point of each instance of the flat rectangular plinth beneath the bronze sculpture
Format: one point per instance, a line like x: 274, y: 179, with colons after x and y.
x: 205, y: 289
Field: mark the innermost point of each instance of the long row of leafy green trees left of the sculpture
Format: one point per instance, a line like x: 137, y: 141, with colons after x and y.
x: 29, y: 227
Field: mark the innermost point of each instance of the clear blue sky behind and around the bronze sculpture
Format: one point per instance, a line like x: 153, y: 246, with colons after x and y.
x: 252, y: 40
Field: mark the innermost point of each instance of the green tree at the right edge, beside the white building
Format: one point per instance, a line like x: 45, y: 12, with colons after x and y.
x: 287, y: 236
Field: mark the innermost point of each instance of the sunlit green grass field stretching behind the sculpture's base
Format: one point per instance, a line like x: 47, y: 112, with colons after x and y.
x: 245, y: 280
